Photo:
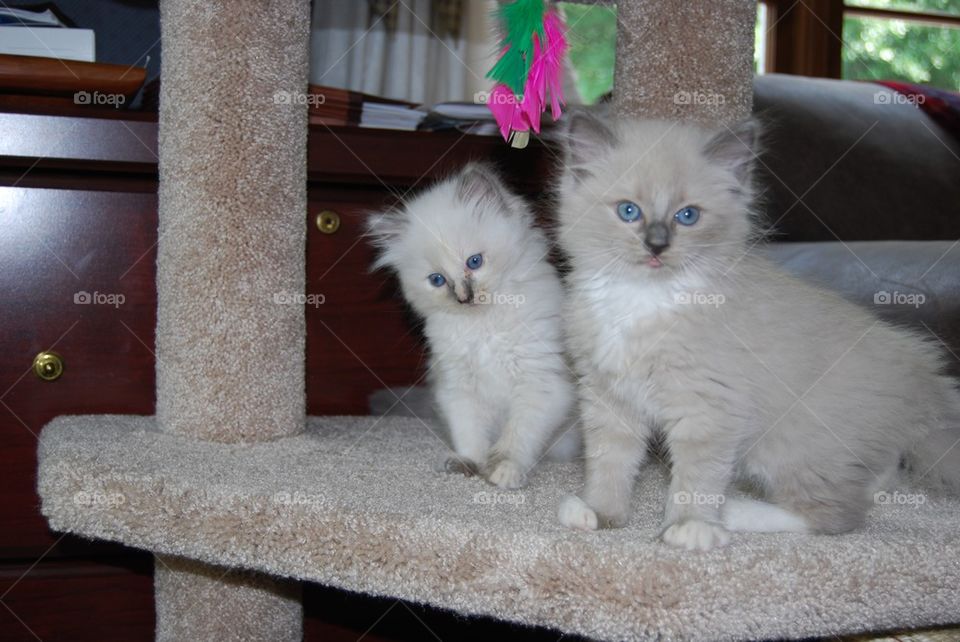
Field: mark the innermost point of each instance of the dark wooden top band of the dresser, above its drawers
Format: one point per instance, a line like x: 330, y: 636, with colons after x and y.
x: 336, y: 155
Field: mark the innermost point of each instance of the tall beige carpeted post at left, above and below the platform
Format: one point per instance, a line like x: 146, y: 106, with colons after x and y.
x: 230, y: 346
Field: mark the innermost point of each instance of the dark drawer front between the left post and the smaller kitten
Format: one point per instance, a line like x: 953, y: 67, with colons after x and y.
x: 360, y: 336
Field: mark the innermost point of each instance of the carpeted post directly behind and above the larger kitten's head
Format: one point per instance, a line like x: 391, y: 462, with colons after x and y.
x: 684, y: 60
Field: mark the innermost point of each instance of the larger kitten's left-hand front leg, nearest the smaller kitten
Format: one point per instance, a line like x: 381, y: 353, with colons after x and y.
x: 616, y: 446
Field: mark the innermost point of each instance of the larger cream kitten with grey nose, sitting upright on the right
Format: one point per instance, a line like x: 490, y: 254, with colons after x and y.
x: 746, y: 372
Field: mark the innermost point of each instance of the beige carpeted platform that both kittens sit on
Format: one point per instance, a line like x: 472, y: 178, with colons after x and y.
x: 355, y: 503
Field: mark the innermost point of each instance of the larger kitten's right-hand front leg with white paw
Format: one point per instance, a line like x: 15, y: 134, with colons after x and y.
x: 702, y: 466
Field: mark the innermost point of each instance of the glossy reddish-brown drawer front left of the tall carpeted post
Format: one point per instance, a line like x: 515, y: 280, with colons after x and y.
x: 77, y: 272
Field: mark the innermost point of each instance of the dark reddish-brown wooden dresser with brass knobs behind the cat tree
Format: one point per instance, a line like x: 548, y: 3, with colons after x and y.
x: 78, y: 234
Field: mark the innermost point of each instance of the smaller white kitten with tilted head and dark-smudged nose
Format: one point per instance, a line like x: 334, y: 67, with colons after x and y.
x: 473, y: 266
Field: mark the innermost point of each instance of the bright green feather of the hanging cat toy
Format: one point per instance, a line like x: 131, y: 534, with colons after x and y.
x: 519, y: 21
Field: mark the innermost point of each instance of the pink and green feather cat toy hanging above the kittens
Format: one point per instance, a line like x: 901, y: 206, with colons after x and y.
x: 529, y: 70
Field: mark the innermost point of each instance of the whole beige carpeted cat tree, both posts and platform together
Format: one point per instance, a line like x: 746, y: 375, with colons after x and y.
x: 240, y: 497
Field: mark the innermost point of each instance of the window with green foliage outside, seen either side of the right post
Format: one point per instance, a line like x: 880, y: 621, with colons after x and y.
x: 910, y: 40
